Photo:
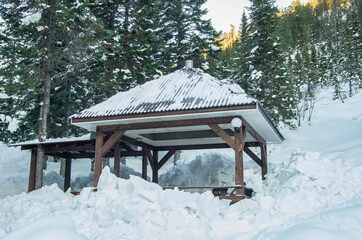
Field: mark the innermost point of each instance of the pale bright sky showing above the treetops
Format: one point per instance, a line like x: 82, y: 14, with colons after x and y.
x: 226, y: 12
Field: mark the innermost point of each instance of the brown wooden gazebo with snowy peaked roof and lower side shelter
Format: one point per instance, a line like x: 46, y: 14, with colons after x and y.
x: 187, y: 109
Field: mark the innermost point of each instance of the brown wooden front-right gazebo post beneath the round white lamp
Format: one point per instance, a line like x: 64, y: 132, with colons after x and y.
x: 239, y: 168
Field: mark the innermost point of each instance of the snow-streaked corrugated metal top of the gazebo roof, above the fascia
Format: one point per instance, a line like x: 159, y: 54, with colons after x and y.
x: 184, y: 89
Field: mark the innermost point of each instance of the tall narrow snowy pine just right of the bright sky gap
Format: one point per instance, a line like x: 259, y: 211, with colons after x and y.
x: 269, y: 81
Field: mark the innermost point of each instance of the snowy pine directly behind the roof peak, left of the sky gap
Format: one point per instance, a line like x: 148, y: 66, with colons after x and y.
x: 186, y: 34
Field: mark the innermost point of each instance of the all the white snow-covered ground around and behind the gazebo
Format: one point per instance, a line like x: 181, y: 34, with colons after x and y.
x: 313, y: 191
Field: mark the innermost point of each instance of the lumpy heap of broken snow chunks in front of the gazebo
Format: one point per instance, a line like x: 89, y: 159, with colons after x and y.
x: 125, y: 209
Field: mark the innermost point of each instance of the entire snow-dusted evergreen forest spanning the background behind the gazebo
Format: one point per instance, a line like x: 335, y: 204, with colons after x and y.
x: 61, y: 56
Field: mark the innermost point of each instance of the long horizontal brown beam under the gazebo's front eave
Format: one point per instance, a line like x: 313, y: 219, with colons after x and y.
x: 166, y: 124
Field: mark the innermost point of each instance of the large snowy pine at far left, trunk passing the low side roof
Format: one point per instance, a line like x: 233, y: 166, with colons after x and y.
x: 40, y: 44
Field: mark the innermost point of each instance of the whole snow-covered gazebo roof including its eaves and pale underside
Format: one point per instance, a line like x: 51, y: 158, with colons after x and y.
x: 185, y: 94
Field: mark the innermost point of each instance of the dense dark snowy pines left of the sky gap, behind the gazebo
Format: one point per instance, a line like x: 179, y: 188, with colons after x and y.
x: 61, y: 56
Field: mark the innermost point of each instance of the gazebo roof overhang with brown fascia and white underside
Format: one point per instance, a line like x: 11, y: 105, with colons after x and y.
x: 160, y: 135
